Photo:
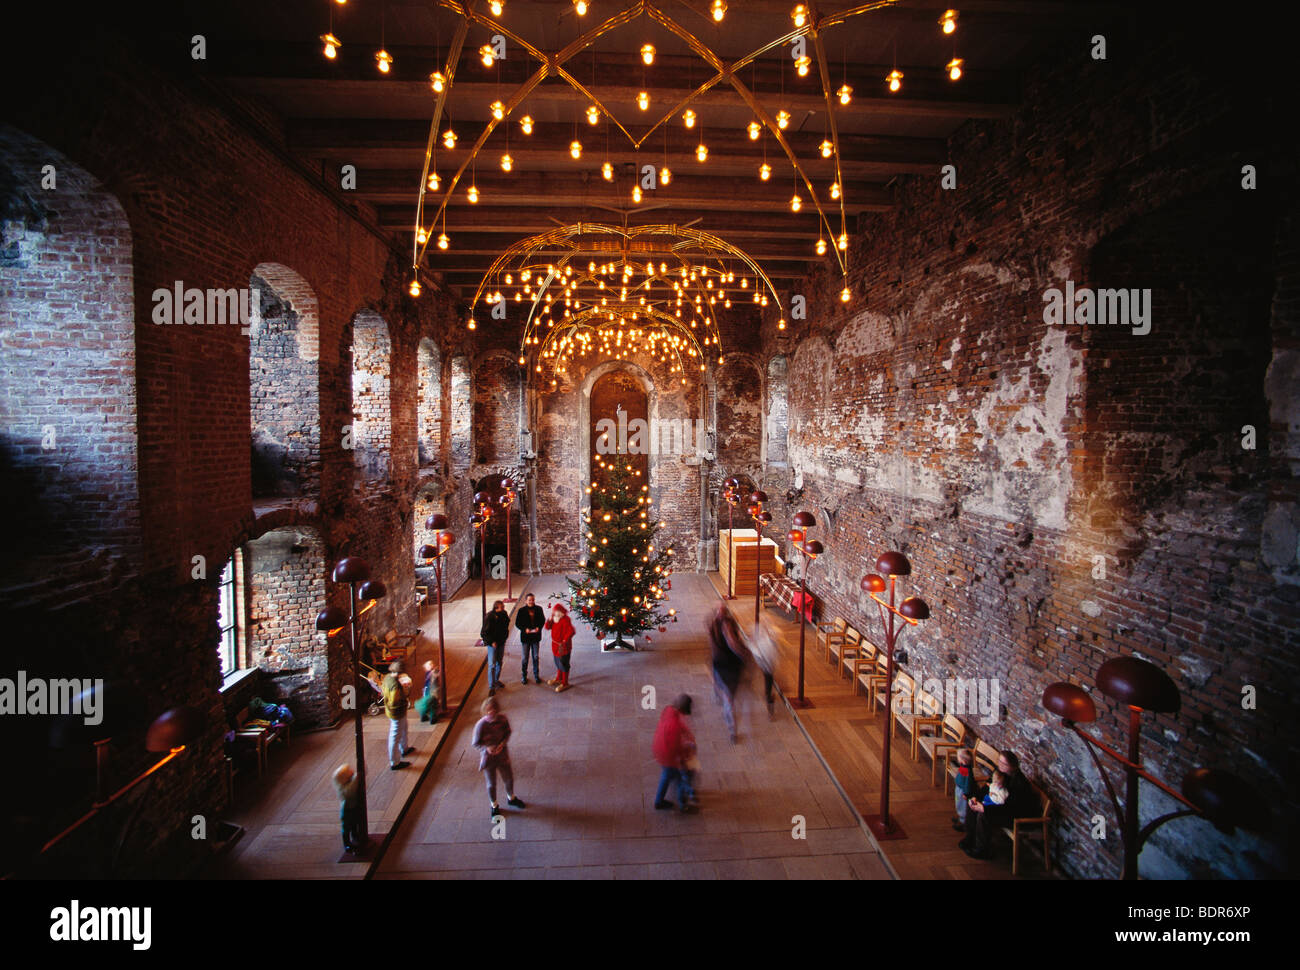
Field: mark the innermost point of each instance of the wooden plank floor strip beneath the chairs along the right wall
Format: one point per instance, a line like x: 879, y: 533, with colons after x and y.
x: 851, y: 741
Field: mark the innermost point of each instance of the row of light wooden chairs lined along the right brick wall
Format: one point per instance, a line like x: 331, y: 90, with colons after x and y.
x: 941, y: 735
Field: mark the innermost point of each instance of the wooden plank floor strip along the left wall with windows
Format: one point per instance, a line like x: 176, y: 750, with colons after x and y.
x: 291, y: 816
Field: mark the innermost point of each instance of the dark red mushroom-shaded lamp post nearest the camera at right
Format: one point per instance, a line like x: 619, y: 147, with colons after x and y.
x: 1219, y: 796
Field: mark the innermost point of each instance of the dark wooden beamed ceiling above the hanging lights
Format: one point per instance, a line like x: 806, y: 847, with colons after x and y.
x: 345, y: 112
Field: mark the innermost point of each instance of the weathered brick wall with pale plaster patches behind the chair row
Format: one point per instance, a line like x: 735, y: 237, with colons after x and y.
x: 938, y: 414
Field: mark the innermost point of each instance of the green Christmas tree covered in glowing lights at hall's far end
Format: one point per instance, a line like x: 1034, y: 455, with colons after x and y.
x: 626, y: 573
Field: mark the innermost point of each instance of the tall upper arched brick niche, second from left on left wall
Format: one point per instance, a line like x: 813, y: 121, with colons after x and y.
x: 284, y: 383
